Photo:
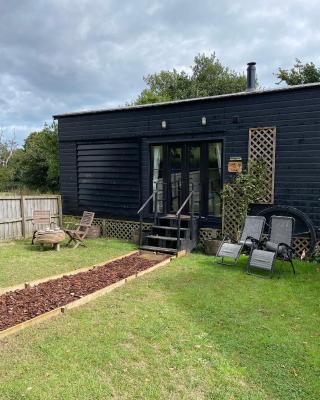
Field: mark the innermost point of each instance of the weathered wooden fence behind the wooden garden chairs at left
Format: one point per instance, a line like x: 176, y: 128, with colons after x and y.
x: 16, y: 214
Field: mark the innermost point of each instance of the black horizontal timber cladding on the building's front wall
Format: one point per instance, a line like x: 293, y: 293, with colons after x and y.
x: 105, y: 157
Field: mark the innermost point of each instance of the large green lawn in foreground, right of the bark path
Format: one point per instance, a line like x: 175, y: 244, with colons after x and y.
x: 191, y: 330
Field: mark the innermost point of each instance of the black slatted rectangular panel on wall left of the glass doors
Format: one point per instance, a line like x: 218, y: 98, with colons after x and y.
x: 108, y: 178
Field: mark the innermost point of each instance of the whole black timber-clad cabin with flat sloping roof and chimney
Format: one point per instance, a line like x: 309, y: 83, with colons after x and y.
x: 110, y: 159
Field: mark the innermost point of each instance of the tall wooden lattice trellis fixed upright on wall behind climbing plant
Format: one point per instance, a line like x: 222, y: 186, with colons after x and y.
x: 262, y: 146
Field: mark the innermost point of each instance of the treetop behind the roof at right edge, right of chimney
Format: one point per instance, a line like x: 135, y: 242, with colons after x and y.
x: 299, y: 74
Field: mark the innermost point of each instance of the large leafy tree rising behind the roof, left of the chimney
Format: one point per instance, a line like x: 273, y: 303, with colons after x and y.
x: 208, y: 77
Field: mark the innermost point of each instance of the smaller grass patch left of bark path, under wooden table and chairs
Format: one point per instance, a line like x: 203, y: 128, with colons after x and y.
x: 21, y: 262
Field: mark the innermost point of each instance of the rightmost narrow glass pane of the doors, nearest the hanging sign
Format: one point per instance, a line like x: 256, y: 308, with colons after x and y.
x: 214, y: 187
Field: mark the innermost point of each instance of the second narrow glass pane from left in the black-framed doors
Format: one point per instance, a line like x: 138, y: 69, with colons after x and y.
x: 175, y: 177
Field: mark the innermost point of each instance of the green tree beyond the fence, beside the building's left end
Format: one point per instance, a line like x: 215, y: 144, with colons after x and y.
x: 36, y: 164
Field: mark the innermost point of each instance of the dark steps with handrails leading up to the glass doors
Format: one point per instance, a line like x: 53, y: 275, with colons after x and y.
x: 170, y: 233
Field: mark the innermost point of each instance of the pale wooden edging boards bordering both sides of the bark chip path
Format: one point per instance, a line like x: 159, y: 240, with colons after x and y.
x: 79, y: 302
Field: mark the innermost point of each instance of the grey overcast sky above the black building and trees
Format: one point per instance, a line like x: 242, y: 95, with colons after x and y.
x: 60, y: 56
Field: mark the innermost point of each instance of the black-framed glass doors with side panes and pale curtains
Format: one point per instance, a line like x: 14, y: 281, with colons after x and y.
x: 182, y: 167
